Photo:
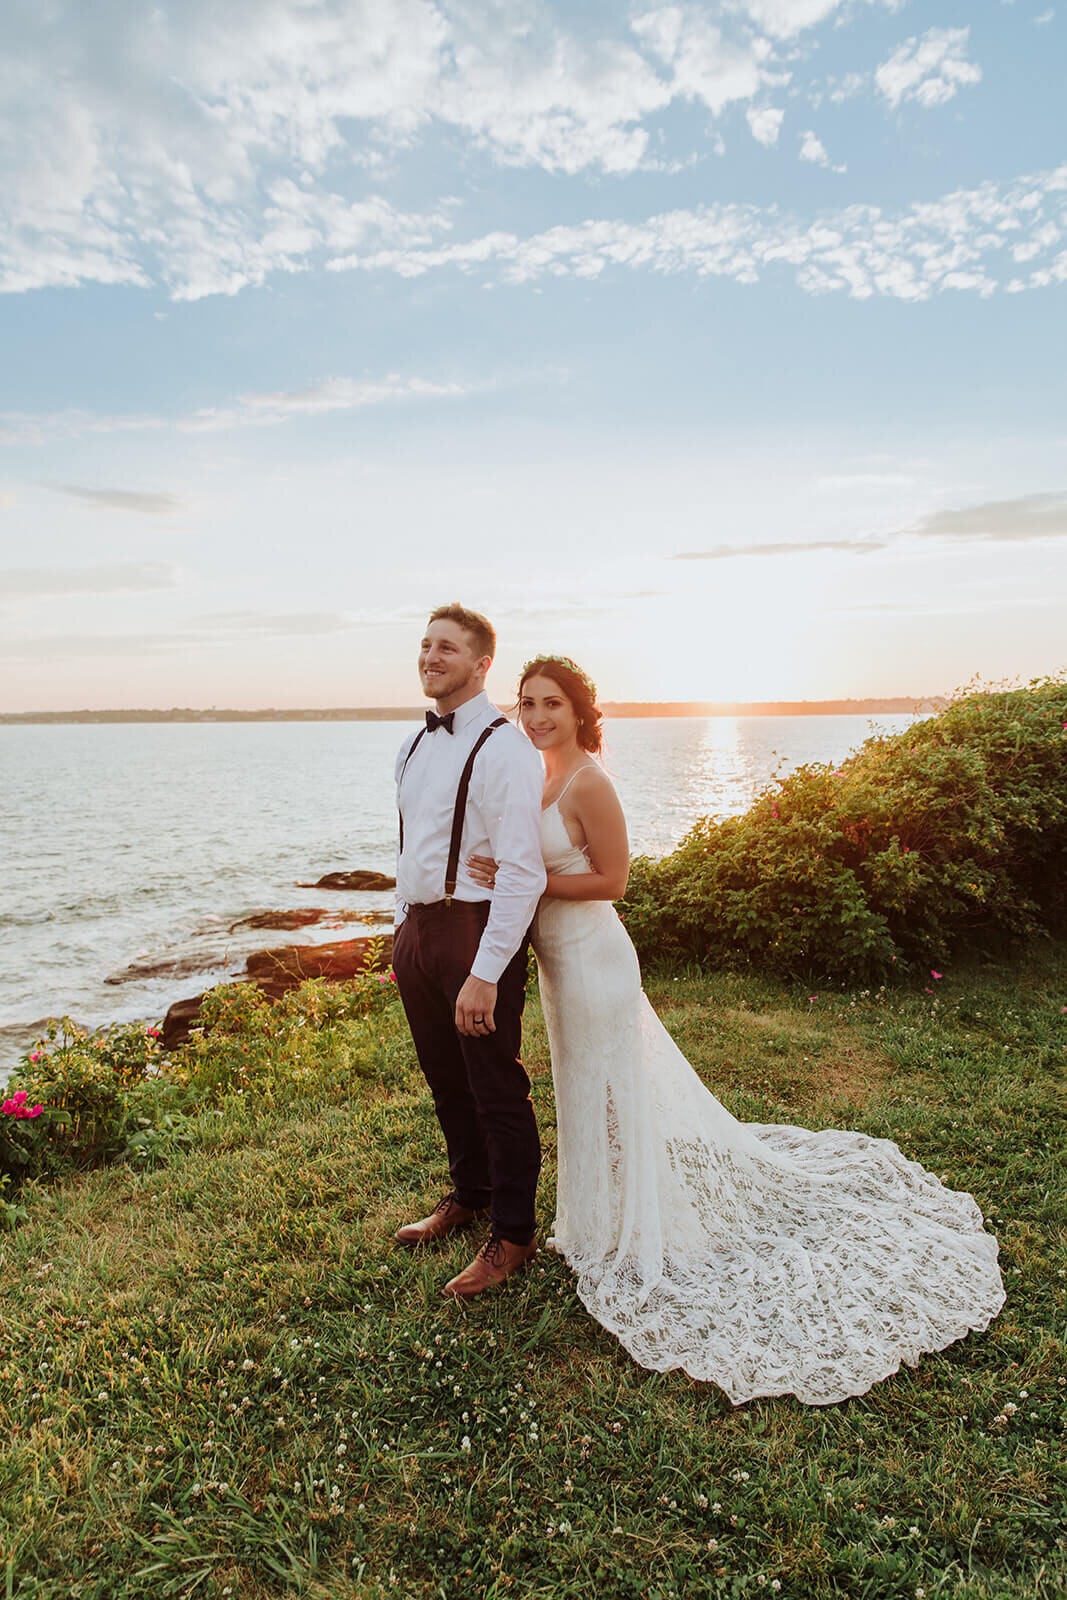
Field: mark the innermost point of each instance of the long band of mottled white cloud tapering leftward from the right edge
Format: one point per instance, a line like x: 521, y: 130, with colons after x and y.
x: 957, y: 242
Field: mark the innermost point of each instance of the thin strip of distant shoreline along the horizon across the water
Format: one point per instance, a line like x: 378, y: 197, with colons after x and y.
x: 841, y: 708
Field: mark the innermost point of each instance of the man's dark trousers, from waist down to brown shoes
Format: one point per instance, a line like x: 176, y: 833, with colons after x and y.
x: 479, y: 1086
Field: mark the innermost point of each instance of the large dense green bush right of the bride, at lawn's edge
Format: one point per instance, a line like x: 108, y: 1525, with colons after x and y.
x: 925, y: 844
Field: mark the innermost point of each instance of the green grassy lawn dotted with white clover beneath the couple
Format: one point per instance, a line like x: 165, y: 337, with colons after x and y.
x: 220, y: 1377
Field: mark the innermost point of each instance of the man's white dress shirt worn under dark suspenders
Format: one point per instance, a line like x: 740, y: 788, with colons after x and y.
x: 503, y: 820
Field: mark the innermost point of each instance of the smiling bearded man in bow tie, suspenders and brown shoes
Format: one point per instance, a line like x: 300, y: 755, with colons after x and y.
x: 471, y: 785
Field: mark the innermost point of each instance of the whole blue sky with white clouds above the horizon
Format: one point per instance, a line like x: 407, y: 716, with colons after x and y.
x: 719, y: 346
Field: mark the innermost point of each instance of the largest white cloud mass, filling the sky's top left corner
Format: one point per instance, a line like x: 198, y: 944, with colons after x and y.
x: 193, y: 145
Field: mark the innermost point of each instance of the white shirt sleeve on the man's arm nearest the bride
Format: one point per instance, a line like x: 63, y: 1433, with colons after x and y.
x: 510, y: 801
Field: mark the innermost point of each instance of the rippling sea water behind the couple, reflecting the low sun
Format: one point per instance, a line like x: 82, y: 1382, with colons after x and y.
x: 132, y: 852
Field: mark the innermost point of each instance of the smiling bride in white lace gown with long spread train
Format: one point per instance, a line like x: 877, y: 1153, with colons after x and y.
x: 762, y: 1258
